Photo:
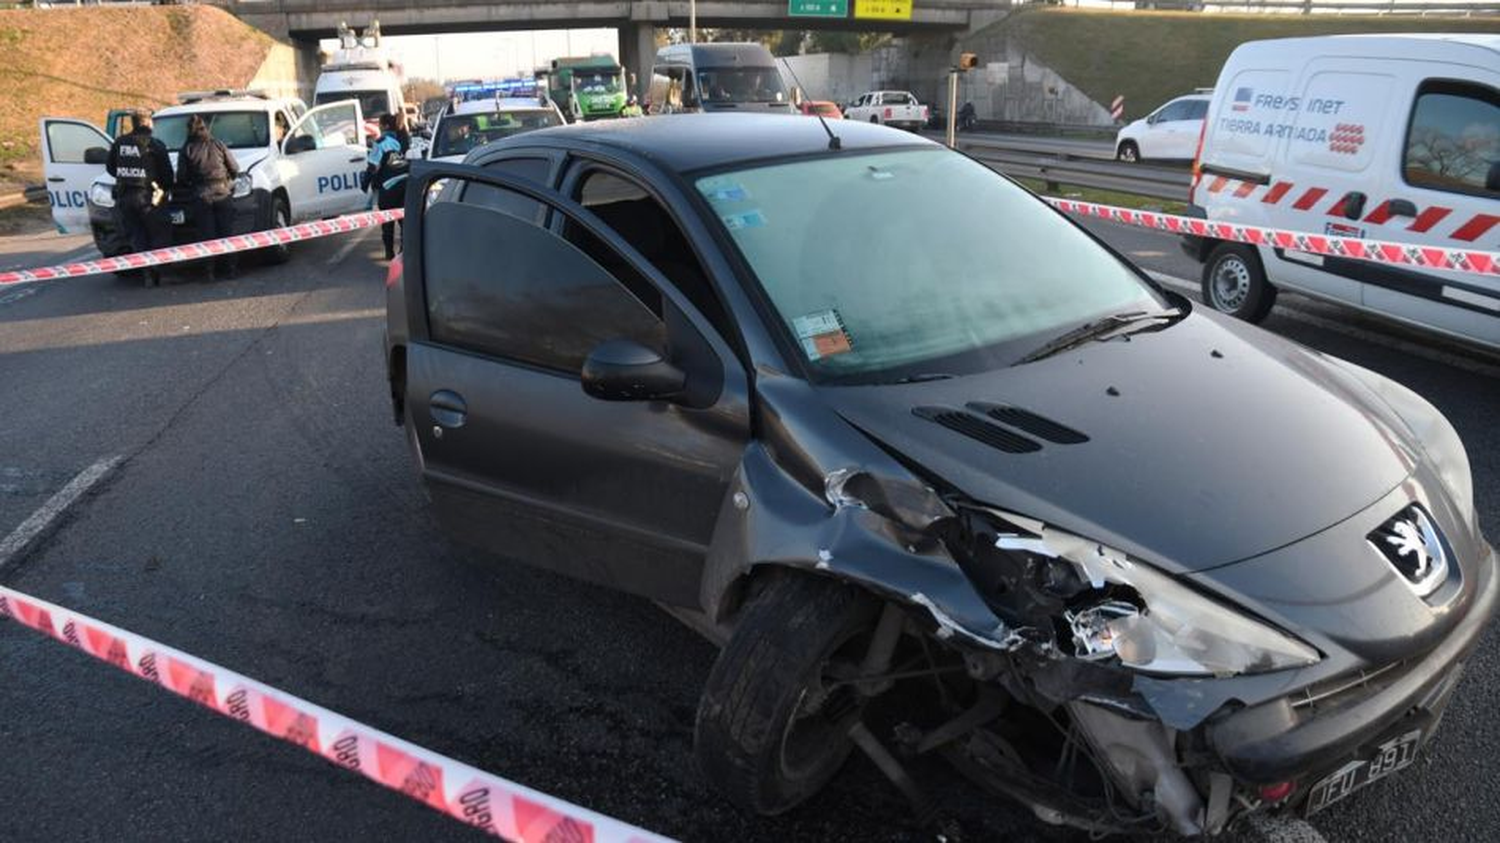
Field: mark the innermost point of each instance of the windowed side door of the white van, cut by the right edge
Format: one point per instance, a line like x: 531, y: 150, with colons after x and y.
x: 1445, y: 193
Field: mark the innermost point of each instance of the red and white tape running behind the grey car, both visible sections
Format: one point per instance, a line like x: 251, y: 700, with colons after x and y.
x: 1475, y: 262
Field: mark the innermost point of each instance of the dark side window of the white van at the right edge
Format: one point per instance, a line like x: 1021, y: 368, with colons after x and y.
x: 1454, y: 140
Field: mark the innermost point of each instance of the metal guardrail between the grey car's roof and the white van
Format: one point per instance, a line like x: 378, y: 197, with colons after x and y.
x: 1057, y: 169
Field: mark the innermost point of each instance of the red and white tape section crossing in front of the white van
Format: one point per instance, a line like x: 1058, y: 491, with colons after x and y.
x: 1477, y: 262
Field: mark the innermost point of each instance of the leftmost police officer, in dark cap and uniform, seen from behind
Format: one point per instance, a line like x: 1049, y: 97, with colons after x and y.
x: 143, y: 178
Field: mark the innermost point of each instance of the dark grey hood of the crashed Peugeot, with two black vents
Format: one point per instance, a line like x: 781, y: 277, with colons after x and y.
x: 1204, y: 443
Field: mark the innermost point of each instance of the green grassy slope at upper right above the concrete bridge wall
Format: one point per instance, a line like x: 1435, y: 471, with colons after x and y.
x: 1154, y: 56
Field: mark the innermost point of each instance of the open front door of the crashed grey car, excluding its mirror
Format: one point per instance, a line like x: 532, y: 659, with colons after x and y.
x: 505, y: 302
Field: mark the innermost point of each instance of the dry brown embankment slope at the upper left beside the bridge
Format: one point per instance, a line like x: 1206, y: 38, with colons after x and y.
x: 82, y: 62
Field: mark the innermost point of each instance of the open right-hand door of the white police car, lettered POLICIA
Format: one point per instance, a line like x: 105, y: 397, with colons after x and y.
x: 322, y: 161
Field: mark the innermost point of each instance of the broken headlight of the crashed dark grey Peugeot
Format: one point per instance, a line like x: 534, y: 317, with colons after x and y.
x: 1153, y: 623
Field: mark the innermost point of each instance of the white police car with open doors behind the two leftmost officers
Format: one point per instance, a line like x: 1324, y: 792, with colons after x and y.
x: 295, y: 164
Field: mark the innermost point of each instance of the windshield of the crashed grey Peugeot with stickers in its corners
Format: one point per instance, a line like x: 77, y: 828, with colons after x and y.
x: 893, y: 265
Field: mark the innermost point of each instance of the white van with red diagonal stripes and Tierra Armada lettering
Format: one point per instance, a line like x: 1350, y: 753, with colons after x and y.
x: 1382, y: 137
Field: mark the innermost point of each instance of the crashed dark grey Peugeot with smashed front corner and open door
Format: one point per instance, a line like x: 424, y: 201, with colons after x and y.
x: 941, y: 473
